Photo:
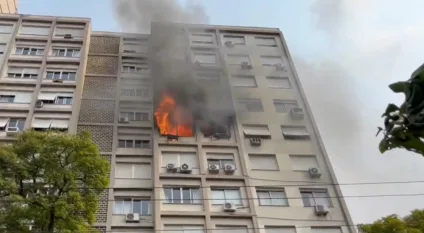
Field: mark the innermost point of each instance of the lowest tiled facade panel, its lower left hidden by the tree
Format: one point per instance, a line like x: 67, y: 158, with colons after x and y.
x: 102, y: 135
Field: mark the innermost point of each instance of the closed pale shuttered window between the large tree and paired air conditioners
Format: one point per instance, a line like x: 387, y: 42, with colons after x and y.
x: 133, y: 171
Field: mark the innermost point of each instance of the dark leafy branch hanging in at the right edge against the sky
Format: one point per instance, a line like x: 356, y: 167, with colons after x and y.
x: 404, y: 124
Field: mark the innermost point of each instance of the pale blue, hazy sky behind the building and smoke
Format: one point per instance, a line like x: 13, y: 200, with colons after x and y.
x: 346, y: 53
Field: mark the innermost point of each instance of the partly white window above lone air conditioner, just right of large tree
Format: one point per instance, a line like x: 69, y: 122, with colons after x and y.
x: 132, y: 205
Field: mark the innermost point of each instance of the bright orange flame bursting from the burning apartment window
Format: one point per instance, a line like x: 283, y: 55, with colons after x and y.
x: 173, y: 119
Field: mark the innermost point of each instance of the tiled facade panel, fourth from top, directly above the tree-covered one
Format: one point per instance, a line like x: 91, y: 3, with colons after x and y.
x: 99, y: 111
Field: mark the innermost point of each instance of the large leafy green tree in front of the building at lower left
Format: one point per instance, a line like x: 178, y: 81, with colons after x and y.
x: 50, y: 181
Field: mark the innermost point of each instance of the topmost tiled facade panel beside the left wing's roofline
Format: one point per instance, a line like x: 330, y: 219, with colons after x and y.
x: 104, y: 45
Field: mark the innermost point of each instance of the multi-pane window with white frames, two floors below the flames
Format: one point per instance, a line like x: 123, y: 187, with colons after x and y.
x: 182, y: 195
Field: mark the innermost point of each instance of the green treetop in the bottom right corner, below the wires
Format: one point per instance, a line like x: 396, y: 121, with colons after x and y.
x: 412, y: 223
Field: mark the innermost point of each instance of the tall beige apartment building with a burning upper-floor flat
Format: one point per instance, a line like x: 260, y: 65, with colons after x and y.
x: 264, y: 171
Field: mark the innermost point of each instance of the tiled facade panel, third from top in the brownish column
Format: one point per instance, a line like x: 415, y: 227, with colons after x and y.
x: 99, y: 87
